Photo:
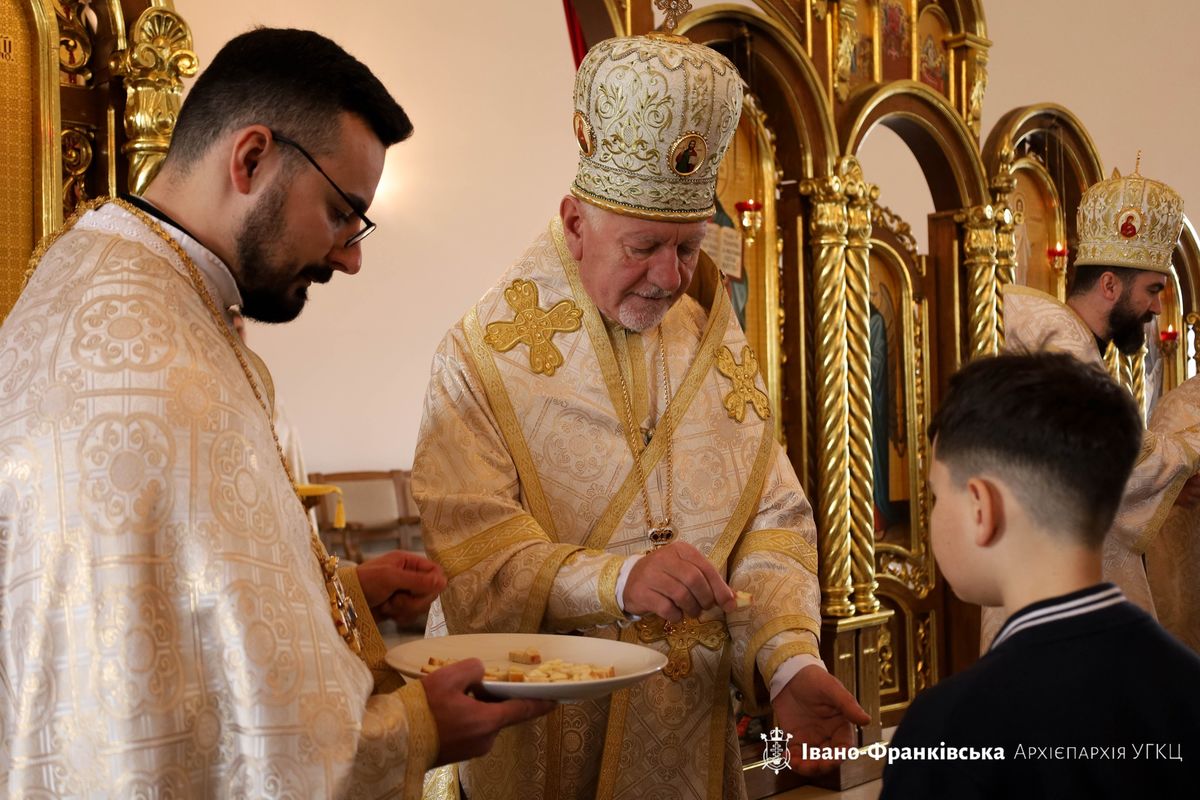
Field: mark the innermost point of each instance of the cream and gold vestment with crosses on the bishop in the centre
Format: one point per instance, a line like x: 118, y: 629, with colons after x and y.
x: 531, y: 503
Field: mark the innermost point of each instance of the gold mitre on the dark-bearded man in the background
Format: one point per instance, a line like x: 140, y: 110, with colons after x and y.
x: 1132, y: 222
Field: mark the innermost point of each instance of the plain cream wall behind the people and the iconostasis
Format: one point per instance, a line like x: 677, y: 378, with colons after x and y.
x: 489, y: 88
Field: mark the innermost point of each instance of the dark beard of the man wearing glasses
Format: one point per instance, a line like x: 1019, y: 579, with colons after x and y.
x: 267, y: 288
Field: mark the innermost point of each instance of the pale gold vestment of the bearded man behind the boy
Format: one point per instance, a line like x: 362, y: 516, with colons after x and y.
x: 1036, y: 322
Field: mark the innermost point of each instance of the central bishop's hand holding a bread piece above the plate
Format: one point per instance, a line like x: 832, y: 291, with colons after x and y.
x: 674, y: 582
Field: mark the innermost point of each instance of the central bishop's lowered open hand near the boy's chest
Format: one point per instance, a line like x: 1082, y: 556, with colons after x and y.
x: 818, y: 711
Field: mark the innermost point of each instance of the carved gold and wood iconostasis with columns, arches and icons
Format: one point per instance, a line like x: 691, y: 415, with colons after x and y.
x: 856, y: 329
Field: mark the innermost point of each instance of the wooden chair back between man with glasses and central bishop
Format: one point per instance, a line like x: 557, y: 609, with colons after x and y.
x: 380, y: 509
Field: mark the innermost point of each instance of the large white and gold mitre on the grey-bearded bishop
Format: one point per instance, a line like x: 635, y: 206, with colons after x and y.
x: 653, y: 118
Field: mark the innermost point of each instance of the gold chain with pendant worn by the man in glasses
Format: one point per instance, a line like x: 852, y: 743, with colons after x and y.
x: 341, y: 606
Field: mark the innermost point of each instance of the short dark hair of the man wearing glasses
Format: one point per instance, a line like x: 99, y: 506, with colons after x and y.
x: 296, y: 82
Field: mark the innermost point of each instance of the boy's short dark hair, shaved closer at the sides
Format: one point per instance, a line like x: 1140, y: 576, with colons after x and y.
x: 1063, y: 435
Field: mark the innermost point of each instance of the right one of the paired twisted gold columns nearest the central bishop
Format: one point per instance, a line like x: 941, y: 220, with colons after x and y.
x: 861, y: 199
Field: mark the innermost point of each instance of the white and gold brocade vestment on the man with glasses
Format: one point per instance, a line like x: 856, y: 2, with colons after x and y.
x: 165, y: 630
